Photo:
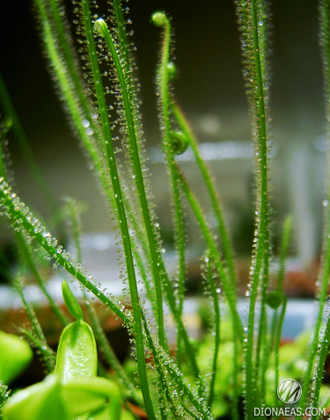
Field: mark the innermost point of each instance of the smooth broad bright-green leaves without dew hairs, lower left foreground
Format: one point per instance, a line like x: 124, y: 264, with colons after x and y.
x: 73, y: 389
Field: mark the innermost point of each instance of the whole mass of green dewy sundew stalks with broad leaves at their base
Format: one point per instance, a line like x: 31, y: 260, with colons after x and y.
x: 96, y: 79
